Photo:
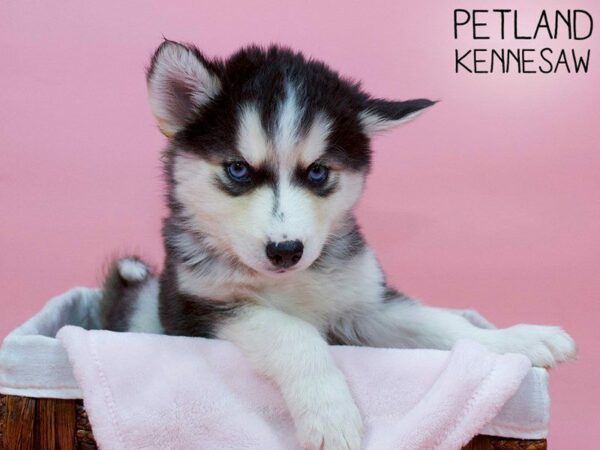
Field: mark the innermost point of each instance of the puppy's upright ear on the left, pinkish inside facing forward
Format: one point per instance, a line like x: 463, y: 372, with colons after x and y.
x: 180, y: 82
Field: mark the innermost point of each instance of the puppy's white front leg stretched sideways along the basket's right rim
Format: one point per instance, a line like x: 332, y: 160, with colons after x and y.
x: 405, y: 323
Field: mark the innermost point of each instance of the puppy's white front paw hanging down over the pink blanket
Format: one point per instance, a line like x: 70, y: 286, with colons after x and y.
x: 330, y: 420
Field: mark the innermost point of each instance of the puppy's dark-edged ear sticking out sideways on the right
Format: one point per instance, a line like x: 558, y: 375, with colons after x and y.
x: 379, y: 115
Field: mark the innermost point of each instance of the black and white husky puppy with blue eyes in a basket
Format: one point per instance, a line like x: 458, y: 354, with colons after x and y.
x: 267, y: 155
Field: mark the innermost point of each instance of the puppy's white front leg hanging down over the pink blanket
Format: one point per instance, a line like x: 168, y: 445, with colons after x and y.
x: 295, y: 356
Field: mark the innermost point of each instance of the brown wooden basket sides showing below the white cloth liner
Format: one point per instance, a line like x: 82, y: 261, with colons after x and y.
x: 47, y: 424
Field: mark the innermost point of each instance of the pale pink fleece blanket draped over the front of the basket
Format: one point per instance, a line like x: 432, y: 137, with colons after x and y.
x: 160, y: 392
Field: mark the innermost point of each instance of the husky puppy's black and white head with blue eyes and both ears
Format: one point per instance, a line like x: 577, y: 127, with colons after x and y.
x: 267, y: 151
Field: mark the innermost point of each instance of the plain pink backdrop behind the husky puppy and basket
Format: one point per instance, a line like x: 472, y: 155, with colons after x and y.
x: 490, y: 200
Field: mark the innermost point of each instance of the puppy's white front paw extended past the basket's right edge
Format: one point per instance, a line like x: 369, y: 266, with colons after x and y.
x: 545, y: 346
